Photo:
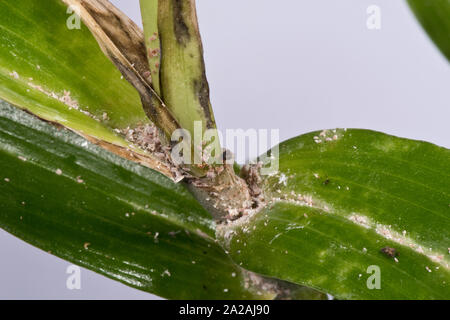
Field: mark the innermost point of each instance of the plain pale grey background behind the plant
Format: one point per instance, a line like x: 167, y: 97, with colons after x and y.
x: 293, y: 65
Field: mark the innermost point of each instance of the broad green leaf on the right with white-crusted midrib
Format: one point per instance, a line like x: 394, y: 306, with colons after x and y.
x: 339, y: 199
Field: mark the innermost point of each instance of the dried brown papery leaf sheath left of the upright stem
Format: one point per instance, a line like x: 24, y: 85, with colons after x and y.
x: 123, y: 43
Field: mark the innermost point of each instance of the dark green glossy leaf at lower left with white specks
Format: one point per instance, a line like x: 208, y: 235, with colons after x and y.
x: 81, y: 203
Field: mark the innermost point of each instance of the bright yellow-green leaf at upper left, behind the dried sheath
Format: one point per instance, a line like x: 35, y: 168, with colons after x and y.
x: 41, y: 59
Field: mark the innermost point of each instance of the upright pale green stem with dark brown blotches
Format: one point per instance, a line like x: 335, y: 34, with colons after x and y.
x: 182, y: 80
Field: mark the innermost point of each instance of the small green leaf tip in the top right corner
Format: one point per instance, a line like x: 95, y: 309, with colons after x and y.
x: 434, y: 15
